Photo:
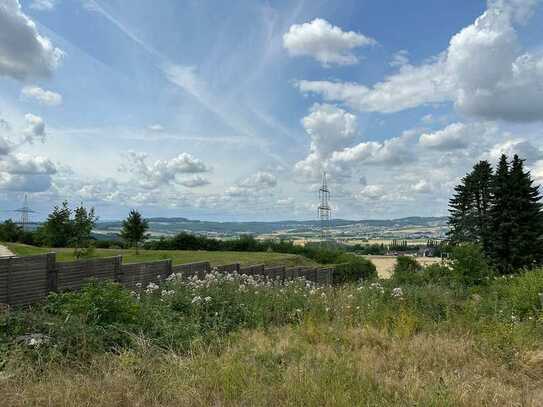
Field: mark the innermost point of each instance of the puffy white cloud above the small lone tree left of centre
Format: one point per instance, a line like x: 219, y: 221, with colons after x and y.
x: 162, y: 172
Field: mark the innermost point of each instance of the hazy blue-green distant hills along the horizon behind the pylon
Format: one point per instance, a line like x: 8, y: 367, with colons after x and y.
x: 168, y: 226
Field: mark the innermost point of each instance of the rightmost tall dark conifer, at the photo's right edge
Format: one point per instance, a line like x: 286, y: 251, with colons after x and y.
x: 527, y: 218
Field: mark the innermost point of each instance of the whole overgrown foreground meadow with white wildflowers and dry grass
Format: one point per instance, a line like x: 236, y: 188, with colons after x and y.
x: 237, y: 340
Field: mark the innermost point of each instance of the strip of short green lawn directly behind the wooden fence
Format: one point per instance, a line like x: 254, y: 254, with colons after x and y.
x: 177, y: 256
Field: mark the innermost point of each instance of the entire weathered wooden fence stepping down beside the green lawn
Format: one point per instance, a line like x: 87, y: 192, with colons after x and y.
x: 27, y: 280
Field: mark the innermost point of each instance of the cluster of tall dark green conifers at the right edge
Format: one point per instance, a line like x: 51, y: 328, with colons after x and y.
x: 500, y: 210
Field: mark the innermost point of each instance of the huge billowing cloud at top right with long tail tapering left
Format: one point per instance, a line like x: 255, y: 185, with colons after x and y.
x: 484, y: 72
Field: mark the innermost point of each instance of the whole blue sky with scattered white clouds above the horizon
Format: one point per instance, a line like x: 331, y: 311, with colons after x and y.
x: 233, y: 110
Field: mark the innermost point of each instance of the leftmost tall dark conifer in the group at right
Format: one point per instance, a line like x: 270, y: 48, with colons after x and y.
x: 470, y: 207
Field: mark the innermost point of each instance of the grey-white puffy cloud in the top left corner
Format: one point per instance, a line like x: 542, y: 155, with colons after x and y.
x: 26, y: 53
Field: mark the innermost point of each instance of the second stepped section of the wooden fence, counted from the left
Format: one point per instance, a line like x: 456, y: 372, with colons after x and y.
x: 73, y: 275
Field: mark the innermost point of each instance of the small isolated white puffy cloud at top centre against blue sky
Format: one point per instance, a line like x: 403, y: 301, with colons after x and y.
x: 328, y: 44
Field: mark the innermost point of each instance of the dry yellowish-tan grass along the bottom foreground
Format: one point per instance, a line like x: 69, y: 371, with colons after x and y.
x: 318, y: 365
